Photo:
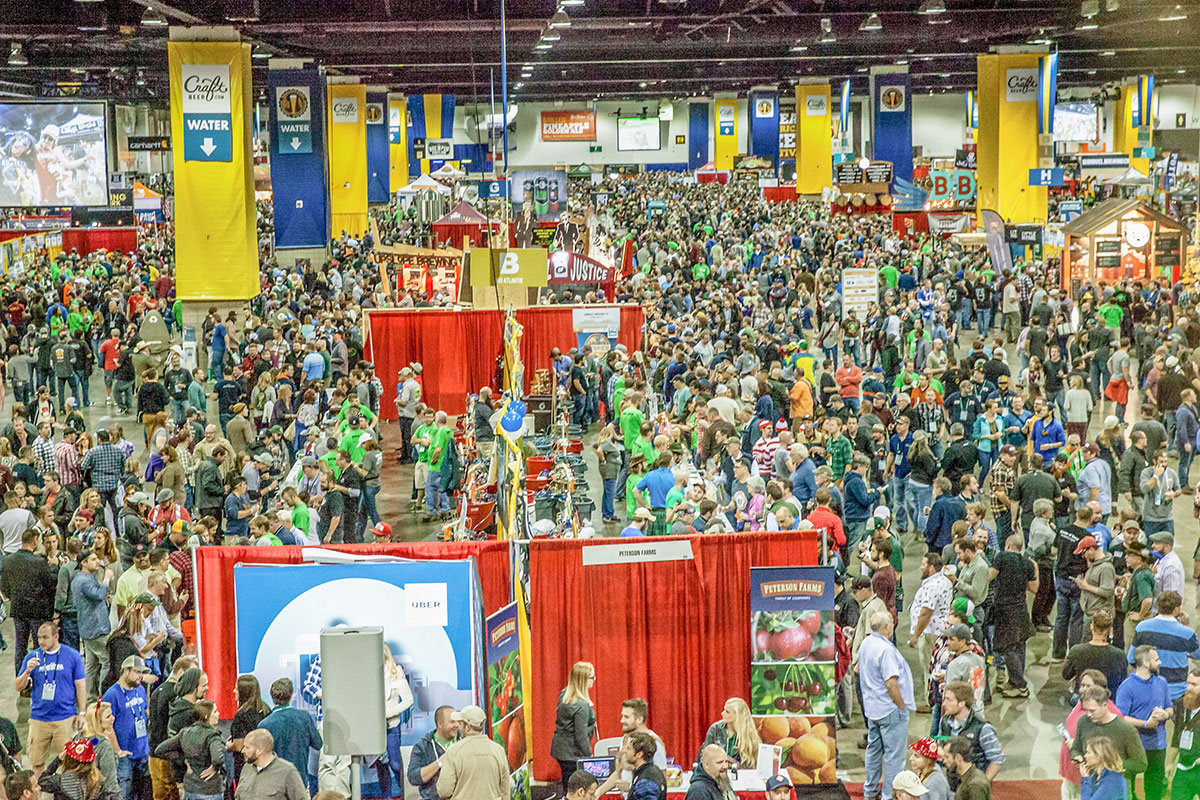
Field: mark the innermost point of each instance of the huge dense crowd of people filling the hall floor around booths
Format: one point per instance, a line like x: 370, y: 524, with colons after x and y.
x: 1028, y: 442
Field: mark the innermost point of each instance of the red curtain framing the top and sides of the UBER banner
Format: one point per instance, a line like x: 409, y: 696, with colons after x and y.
x: 217, y: 607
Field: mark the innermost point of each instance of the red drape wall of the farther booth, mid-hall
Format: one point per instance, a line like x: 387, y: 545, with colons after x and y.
x: 459, y: 348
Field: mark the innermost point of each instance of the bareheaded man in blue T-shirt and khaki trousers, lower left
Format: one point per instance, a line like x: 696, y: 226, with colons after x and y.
x: 58, y: 691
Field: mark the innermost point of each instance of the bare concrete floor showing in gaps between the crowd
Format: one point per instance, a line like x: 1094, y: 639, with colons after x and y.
x: 1027, y: 726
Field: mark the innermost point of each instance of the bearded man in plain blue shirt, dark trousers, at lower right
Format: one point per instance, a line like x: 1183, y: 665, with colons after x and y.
x: 1145, y: 703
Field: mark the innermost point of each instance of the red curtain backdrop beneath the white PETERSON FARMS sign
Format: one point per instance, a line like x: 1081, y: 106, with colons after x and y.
x: 676, y: 634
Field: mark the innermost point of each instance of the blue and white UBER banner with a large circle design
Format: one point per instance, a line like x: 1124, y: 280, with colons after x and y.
x: 431, y: 613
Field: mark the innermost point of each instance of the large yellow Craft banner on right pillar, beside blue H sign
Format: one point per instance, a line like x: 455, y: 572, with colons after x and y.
x: 1007, y: 137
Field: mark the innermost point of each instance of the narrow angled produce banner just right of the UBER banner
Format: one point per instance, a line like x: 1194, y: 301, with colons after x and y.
x: 506, y: 694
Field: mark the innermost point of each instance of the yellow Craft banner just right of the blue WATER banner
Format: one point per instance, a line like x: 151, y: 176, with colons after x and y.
x: 349, y: 159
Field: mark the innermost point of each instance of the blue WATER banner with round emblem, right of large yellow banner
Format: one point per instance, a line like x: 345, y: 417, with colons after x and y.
x: 299, y: 172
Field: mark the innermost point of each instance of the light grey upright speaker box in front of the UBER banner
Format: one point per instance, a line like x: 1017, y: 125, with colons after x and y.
x: 352, y: 691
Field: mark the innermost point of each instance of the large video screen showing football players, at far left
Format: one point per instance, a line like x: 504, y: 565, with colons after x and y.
x: 53, y: 155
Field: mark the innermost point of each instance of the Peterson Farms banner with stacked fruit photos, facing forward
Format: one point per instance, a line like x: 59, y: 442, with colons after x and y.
x: 793, y: 688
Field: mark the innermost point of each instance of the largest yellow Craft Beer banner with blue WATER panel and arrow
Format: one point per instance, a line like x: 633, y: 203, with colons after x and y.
x: 217, y: 243
